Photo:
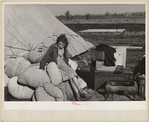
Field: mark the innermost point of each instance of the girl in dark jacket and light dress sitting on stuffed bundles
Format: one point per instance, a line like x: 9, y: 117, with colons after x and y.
x: 58, y: 53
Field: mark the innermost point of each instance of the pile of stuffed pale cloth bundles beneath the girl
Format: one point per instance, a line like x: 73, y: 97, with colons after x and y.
x: 25, y: 80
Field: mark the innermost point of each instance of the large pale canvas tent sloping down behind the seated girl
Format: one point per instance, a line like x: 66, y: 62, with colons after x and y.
x: 28, y: 25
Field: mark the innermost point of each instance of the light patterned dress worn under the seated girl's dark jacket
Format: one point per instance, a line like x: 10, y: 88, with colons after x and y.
x: 66, y: 71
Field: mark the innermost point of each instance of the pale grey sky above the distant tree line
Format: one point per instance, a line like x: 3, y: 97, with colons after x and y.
x: 60, y: 9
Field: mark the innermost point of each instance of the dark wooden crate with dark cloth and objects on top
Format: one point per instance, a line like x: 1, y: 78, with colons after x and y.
x: 97, y: 78
